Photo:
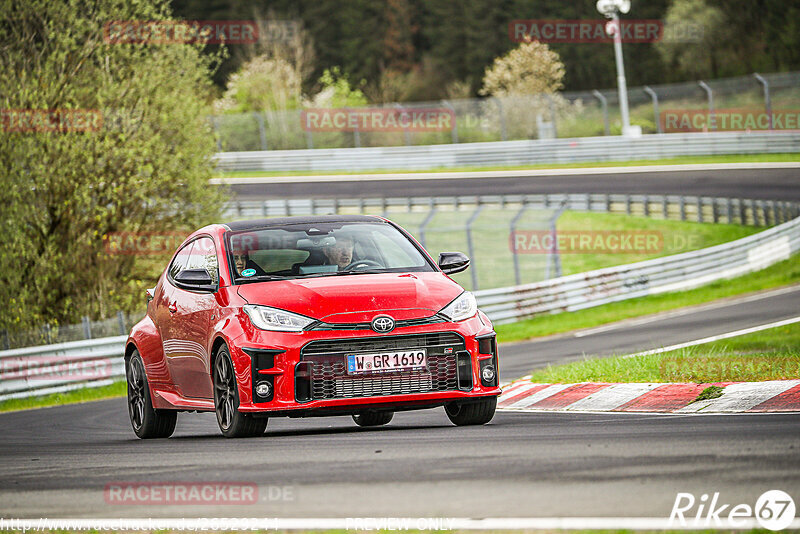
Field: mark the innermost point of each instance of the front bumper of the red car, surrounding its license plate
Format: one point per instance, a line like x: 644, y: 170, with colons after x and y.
x: 306, y: 375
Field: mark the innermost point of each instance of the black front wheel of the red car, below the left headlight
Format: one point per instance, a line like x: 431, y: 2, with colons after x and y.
x: 232, y: 422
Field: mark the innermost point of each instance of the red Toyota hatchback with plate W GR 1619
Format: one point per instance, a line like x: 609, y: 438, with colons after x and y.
x: 308, y: 316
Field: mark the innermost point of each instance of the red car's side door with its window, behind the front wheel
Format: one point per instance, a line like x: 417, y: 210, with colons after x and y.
x: 186, y: 337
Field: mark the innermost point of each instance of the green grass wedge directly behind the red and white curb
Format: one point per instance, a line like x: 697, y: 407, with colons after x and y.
x: 772, y: 354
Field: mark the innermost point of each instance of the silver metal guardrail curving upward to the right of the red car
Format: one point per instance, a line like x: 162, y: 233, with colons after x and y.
x: 671, y: 273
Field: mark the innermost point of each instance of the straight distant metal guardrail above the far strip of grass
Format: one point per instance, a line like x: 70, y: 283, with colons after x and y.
x: 612, y: 148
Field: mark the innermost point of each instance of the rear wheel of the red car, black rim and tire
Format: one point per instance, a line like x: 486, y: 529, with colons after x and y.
x: 146, y: 421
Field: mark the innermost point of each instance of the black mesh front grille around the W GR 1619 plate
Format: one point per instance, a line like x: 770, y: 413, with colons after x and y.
x: 329, y: 379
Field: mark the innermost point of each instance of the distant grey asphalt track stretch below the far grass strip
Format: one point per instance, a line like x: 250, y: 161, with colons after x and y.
x: 756, y: 183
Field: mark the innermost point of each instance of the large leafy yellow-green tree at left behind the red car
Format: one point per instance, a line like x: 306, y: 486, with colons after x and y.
x: 142, y: 166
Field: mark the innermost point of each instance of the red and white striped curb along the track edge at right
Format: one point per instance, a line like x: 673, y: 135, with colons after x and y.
x: 737, y: 397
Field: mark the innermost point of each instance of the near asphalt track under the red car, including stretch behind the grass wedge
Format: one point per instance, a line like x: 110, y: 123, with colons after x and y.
x: 56, y: 462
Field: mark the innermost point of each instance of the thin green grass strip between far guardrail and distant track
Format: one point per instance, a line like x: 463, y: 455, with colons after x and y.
x: 683, y: 160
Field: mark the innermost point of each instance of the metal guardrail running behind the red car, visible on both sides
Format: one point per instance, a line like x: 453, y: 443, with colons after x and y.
x: 51, y: 368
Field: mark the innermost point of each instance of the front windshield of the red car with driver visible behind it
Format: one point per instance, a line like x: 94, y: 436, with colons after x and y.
x: 321, y: 249
